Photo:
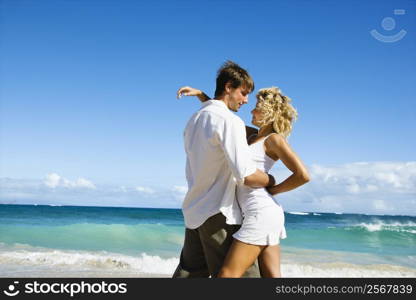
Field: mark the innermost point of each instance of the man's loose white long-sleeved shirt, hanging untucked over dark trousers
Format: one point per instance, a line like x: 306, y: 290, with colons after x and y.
x: 218, y: 158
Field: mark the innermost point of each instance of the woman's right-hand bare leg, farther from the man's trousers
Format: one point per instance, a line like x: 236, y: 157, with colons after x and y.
x: 269, y: 262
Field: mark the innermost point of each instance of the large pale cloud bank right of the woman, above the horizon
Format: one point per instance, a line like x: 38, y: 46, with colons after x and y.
x: 363, y: 187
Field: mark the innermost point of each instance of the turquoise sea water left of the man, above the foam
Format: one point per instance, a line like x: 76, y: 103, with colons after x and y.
x: 120, y: 230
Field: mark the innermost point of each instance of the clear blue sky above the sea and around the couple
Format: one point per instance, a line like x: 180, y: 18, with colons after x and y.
x: 88, y: 93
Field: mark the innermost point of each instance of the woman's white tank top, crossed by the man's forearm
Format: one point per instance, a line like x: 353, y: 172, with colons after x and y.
x: 254, y: 199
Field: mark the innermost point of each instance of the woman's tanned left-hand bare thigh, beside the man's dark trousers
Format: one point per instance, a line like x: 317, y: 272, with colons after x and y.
x: 239, y: 258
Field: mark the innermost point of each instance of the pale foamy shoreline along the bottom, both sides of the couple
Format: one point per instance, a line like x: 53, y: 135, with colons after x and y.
x: 26, y: 261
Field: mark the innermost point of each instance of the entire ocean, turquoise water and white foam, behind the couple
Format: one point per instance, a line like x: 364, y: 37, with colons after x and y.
x: 74, y: 241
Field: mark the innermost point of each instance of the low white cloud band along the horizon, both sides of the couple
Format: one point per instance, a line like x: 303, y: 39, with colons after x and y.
x: 373, y: 188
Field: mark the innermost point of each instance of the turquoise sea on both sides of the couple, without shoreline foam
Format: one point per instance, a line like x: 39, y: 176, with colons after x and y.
x: 159, y: 232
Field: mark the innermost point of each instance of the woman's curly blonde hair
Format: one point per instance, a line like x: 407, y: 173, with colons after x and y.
x: 276, y: 109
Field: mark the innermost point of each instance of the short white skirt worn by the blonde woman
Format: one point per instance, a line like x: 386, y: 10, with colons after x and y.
x: 262, y: 227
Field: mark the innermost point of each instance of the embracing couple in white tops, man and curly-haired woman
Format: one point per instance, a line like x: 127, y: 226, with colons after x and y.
x: 233, y: 224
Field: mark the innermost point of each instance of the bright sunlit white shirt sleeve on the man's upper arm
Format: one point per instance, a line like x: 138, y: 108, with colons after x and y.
x: 232, y: 137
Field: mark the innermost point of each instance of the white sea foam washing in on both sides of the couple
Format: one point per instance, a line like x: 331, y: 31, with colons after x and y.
x: 57, y: 263
